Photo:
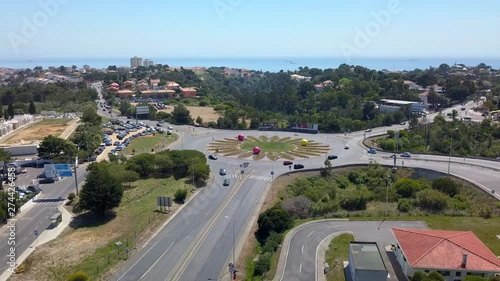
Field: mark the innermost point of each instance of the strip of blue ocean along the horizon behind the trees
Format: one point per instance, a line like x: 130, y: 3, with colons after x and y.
x: 263, y: 64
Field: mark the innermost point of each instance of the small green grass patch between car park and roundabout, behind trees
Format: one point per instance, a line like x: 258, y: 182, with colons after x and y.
x: 146, y: 143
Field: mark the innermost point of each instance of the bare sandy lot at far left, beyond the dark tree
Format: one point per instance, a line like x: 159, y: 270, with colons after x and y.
x: 36, y: 132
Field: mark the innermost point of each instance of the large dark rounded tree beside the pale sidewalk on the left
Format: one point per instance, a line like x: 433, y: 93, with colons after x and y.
x: 102, y: 190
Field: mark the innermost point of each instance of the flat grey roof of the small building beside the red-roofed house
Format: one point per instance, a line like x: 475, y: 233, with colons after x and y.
x: 366, y: 255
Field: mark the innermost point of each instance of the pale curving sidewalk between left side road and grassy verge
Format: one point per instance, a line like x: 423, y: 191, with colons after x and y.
x: 46, y: 236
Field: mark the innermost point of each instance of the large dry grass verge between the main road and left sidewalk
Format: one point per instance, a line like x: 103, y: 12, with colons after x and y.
x: 136, y: 215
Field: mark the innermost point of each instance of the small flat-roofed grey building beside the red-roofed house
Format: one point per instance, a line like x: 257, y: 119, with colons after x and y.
x: 366, y: 263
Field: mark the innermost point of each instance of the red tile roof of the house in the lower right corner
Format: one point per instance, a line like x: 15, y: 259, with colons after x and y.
x: 443, y: 249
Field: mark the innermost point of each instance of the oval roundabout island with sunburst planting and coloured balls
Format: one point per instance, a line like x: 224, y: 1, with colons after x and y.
x: 267, y: 148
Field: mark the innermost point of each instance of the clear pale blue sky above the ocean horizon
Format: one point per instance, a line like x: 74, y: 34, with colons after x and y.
x: 248, y: 28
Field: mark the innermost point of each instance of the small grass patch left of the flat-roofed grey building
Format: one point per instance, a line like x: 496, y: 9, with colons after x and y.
x: 337, y: 253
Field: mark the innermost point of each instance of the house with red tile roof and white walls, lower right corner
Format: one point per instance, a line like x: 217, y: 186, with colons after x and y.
x: 454, y: 254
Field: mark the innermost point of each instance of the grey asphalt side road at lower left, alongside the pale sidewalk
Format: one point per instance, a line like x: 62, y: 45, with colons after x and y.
x: 37, y: 218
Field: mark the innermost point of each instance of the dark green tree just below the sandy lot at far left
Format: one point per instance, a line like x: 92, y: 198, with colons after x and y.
x: 56, y: 149
